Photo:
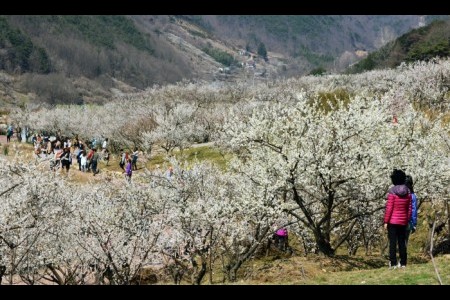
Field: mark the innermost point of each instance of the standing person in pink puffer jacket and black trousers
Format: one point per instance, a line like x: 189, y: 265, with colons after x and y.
x: 396, y: 217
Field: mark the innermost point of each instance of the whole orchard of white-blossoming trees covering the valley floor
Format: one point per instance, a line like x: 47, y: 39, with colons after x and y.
x: 303, y: 155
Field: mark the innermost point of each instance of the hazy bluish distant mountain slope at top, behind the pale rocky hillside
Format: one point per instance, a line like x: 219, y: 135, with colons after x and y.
x: 301, y: 43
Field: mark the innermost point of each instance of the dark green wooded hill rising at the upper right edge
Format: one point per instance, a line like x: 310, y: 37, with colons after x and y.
x: 419, y: 44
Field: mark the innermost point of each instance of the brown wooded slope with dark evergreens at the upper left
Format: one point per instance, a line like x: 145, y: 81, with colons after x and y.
x: 85, y: 58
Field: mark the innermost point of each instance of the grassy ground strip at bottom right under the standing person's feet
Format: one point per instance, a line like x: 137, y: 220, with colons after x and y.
x: 315, y: 270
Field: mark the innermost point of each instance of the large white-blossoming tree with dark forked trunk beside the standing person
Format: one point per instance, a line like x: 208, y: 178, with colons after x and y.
x: 332, y: 169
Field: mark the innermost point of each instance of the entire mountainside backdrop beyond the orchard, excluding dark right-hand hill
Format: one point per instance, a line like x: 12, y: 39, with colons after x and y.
x: 90, y: 59
